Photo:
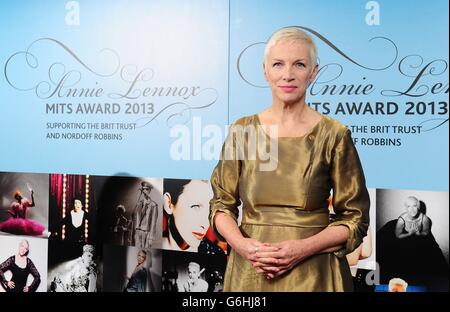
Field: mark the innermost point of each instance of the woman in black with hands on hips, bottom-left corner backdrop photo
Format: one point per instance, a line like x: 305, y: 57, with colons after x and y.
x: 20, y: 266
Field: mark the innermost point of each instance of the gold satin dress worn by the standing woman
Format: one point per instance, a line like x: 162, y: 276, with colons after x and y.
x: 291, y: 202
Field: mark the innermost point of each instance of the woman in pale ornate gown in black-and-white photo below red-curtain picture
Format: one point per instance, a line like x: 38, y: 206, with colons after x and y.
x: 79, y: 275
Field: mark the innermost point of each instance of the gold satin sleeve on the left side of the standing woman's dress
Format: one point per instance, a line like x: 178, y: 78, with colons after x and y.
x: 225, y: 183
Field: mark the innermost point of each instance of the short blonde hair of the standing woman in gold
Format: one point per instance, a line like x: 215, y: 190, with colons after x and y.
x: 292, y: 34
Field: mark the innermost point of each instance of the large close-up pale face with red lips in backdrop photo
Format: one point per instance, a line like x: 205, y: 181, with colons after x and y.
x: 192, y: 210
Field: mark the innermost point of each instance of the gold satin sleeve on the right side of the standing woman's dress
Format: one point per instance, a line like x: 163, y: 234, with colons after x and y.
x: 351, y: 200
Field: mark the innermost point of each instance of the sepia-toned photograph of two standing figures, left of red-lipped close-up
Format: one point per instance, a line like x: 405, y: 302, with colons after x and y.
x: 130, y: 211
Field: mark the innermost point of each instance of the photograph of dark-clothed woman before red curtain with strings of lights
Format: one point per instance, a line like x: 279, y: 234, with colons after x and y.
x: 73, y: 208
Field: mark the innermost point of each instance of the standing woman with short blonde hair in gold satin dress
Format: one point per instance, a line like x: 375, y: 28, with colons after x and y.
x: 285, y: 242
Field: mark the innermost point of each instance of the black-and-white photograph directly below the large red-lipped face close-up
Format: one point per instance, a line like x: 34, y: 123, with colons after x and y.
x: 192, y: 272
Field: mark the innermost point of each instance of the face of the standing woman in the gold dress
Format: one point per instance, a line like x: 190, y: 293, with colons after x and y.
x: 288, y: 71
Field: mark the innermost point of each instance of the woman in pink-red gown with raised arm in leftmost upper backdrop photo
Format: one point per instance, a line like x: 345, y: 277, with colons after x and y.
x: 18, y: 222
